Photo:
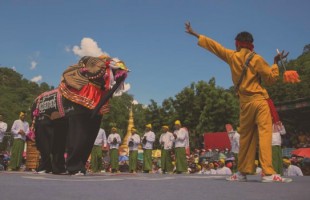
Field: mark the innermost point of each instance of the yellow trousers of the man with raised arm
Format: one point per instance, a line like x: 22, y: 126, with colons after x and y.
x: 255, y: 130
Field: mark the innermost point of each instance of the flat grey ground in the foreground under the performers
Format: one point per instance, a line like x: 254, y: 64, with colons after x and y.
x: 25, y: 185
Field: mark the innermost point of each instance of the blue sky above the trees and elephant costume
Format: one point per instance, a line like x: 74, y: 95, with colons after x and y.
x: 39, y: 39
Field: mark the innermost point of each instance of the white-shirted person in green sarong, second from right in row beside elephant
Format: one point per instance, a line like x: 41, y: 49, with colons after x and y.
x: 166, y: 141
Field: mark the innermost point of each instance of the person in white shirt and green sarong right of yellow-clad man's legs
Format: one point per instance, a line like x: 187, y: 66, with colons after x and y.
x: 277, y: 130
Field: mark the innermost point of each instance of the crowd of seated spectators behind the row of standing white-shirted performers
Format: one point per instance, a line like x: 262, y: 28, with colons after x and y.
x: 201, y: 161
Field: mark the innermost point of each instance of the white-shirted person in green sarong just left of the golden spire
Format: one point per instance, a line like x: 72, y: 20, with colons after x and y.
x: 114, y: 140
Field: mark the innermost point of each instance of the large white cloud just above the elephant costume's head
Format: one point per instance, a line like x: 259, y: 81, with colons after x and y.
x: 88, y: 47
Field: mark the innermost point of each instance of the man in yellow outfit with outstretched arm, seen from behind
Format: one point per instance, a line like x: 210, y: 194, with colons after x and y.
x: 255, y: 115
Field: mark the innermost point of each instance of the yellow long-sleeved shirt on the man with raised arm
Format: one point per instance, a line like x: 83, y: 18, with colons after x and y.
x: 250, y: 87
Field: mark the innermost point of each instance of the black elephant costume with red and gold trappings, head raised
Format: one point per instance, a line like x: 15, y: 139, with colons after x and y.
x: 68, y: 120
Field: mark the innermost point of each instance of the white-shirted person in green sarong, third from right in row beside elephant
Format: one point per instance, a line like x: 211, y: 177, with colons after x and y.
x: 147, y: 144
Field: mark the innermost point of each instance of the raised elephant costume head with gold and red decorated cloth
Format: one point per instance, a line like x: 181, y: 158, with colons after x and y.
x: 93, y: 81
